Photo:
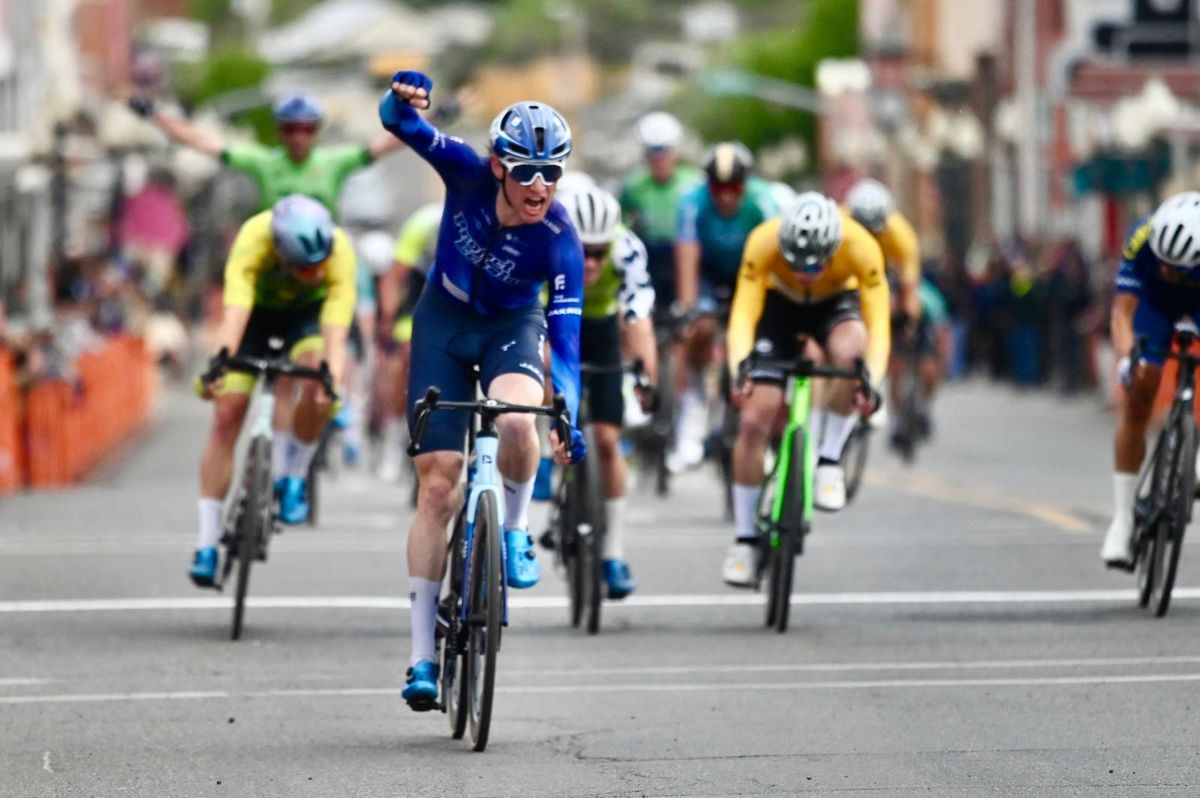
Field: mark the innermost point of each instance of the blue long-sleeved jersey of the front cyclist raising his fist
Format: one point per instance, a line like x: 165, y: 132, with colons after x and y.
x: 494, y: 269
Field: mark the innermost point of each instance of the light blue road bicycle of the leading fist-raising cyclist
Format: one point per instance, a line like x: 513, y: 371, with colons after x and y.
x: 475, y: 608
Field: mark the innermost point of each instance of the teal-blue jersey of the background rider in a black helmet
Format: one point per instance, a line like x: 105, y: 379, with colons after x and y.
x: 723, y: 238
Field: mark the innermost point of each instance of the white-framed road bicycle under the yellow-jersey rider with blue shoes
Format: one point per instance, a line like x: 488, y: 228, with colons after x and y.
x: 250, y: 518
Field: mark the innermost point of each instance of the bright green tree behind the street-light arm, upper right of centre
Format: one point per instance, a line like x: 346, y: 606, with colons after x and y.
x: 829, y: 31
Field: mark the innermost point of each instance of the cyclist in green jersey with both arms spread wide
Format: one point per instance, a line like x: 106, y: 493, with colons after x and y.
x: 298, y: 167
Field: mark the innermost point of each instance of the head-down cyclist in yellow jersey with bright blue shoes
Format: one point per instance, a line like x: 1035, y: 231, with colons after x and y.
x: 290, y: 277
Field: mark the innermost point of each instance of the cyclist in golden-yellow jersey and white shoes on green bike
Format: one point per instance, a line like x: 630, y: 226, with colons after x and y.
x: 815, y: 273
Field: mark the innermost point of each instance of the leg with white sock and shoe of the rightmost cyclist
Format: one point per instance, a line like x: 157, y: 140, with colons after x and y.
x: 1154, y: 326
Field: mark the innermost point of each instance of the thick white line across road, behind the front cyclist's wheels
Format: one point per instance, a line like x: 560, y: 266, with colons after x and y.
x: 560, y: 603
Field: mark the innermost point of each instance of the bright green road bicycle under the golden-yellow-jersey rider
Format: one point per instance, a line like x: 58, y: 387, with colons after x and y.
x: 785, y: 511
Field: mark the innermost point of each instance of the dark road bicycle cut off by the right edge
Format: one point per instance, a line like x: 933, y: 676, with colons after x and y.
x: 1167, y: 483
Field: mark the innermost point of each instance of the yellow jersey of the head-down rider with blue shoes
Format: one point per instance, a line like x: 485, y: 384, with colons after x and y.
x: 255, y: 277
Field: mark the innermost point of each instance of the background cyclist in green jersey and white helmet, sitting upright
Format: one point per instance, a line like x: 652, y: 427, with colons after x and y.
x: 651, y: 197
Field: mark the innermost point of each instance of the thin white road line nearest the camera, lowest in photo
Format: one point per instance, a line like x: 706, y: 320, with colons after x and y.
x: 565, y: 689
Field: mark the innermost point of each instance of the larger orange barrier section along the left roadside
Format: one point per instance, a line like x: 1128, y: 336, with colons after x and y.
x: 71, y: 427
